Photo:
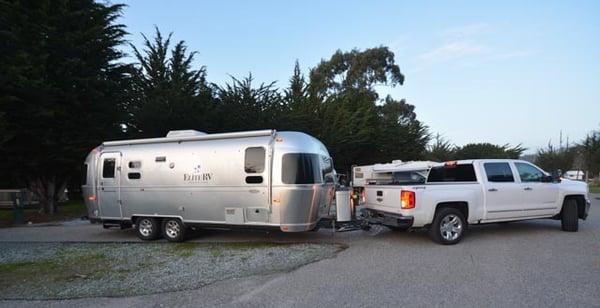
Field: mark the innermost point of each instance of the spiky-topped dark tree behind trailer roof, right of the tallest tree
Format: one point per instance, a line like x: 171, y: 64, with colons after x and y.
x: 167, y: 92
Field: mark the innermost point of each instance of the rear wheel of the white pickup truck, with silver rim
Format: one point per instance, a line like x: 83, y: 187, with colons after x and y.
x: 448, y: 226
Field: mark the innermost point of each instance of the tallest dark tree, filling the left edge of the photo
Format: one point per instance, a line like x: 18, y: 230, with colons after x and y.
x: 60, y: 87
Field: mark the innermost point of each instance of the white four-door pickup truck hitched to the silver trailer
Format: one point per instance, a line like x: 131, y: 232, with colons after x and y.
x: 460, y: 193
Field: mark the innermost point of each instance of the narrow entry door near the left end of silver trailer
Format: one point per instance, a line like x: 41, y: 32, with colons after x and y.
x: 109, y: 188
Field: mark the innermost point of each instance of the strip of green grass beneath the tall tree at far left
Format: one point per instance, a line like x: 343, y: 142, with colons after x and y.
x: 68, y: 210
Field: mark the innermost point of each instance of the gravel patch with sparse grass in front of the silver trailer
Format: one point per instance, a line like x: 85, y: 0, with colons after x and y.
x: 75, y: 270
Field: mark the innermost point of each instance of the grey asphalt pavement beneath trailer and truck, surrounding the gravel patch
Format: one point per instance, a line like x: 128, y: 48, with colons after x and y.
x: 531, y: 263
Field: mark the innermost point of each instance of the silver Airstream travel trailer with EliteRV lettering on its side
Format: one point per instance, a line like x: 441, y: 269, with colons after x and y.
x: 192, y: 179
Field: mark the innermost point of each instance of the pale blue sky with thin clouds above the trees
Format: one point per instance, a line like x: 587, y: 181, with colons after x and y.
x: 509, y: 72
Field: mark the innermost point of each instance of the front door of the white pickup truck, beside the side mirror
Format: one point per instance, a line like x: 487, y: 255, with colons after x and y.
x: 537, y: 197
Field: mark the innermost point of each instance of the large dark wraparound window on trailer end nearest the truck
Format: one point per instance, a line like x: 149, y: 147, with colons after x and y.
x: 301, y: 169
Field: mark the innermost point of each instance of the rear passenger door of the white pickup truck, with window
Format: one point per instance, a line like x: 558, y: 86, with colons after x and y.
x: 501, y: 191
